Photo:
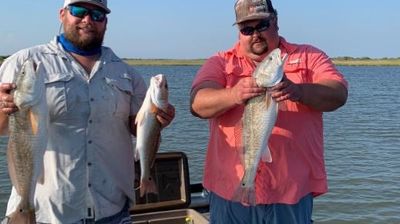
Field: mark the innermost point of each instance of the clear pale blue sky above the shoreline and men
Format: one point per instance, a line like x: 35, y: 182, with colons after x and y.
x: 197, y: 29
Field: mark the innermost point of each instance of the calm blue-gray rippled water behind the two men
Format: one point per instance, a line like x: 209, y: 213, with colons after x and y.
x: 362, y: 143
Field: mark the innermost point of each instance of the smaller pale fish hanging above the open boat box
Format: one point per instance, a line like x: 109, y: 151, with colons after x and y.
x: 148, y: 130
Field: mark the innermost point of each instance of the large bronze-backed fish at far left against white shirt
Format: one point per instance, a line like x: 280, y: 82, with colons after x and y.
x: 27, y: 142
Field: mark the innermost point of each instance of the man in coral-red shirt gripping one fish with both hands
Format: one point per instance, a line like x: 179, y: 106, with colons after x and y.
x: 312, y: 85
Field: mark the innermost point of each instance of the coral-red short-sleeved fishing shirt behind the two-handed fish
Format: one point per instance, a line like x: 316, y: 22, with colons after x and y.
x: 296, y: 142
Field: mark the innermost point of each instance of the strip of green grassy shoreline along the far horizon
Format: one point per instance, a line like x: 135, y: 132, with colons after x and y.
x: 340, y: 61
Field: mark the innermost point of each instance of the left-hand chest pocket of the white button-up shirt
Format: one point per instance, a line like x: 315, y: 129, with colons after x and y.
x: 56, y: 93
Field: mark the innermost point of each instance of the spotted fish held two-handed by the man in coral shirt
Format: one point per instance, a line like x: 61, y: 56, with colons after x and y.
x: 259, y: 118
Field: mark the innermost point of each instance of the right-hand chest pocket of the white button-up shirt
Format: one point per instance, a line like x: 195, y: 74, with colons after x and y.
x: 121, y: 92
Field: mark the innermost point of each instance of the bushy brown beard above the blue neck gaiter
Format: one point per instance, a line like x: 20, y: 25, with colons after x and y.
x: 85, y: 44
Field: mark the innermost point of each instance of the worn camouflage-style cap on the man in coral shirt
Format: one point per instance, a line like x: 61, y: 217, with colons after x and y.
x: 253, y: 9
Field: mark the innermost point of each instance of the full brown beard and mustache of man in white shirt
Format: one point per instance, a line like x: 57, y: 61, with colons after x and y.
x: 90, y: 41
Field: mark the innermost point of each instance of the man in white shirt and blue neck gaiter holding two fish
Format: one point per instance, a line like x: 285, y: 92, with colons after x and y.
x: 93, y: 98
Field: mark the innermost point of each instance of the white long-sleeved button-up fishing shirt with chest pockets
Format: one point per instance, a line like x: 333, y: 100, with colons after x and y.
x: 89, y: 160
